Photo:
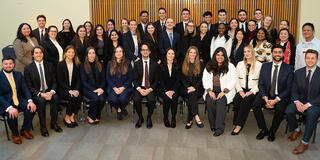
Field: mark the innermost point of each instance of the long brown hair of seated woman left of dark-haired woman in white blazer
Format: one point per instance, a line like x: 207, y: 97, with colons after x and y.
x: 186, y: 62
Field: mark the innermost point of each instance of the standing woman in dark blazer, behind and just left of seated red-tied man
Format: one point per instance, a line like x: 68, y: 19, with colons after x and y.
x: 130, y: 42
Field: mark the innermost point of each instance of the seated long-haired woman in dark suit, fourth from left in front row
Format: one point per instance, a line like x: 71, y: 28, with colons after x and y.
x: 93, y: 82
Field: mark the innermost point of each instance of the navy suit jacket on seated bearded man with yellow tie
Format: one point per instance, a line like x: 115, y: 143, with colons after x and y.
x: 23, y: 93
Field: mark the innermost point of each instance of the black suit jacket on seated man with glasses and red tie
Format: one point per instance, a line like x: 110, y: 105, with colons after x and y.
x: 138, y: 74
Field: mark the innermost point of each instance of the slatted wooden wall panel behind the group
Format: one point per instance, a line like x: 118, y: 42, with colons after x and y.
x: 102, y: 10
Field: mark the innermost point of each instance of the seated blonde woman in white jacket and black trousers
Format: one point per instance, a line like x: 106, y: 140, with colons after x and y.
x: 248, y: 72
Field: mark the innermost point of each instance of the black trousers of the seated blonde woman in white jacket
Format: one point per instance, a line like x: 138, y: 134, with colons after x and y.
x: 242, y: 108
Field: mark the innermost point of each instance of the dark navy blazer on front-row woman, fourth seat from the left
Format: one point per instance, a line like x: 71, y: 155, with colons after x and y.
x: 88, y: 82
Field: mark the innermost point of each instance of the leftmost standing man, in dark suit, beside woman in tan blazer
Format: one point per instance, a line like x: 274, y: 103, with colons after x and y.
x: 41, y: 30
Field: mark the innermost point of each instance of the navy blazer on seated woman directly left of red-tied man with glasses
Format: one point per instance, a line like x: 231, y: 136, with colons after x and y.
x: 125, y: 80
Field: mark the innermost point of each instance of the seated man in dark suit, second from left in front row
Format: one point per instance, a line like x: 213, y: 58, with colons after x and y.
x: 41, y: 80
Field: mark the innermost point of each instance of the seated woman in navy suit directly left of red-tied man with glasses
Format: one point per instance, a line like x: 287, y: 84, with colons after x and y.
x: 119, y: 78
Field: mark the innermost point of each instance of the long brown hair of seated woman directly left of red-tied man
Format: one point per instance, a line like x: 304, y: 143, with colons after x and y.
x: 122, y: 66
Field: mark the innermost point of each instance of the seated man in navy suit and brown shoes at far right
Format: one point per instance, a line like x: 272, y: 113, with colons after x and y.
x: 305, y: 96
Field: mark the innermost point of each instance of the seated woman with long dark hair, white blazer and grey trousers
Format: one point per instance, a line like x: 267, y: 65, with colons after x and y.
x: 219, y: 81
